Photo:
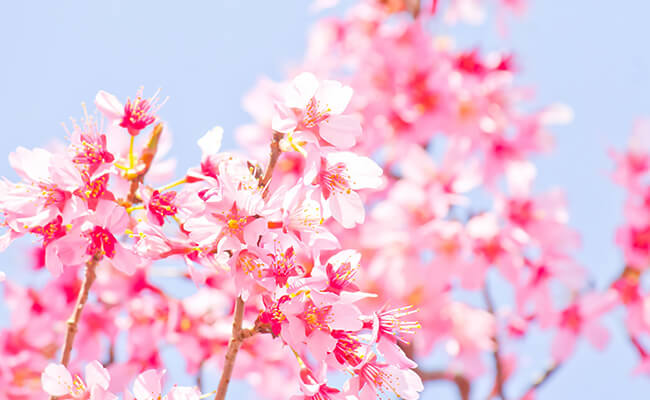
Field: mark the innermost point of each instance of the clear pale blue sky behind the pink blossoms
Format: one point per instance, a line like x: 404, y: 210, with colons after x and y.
x: 591, y: 54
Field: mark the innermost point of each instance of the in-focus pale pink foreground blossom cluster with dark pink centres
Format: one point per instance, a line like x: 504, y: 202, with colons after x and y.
x: 256, y: 249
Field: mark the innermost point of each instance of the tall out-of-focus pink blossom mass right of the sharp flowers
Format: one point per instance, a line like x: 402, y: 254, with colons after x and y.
x: 458, y: 212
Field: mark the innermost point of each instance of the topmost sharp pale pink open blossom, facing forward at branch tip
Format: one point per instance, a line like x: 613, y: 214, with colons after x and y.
x: 315, y: 109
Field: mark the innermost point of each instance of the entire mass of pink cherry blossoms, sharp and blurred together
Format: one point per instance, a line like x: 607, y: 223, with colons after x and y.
x: 370, y: 224
